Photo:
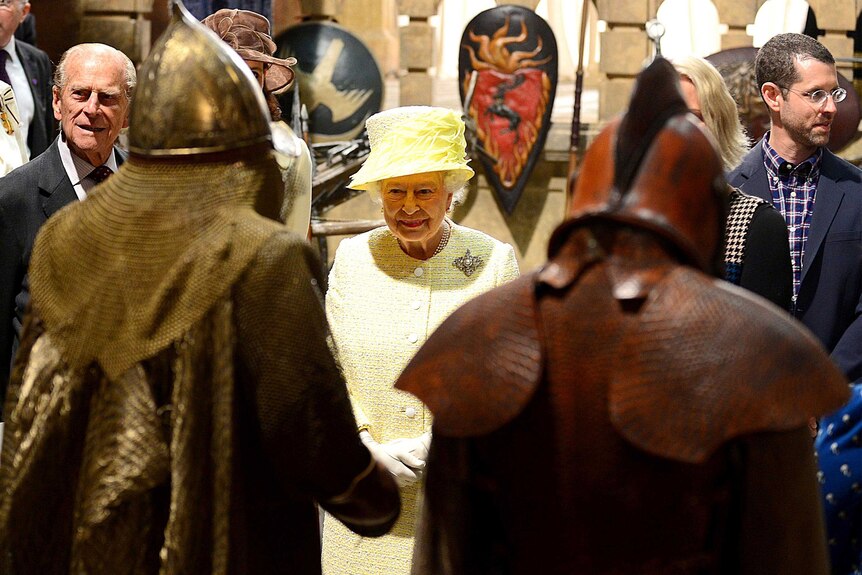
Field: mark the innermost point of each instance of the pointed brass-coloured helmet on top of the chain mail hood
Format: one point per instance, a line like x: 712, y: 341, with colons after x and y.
x: 195, y: 95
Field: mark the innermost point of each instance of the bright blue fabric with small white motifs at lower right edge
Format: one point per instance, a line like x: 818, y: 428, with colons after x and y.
x: 839, y: 451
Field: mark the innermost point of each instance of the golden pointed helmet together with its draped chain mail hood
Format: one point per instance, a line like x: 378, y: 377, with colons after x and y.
x: 106, y: 296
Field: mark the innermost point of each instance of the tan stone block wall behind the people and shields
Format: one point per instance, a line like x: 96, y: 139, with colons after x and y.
x: 131, y: 25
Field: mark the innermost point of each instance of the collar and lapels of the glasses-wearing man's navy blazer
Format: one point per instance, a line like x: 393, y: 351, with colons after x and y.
x: 753, y: 180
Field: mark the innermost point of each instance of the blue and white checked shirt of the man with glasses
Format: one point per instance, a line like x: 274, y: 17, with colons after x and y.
x: 793, y: 189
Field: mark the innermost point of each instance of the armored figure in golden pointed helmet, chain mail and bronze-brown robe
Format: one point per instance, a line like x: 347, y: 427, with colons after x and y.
x: 176, y: 411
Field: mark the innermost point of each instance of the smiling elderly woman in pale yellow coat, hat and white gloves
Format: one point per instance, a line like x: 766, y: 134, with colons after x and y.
x: 388, y: 290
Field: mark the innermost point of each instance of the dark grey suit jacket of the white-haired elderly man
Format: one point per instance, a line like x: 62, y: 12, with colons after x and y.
x: 29, y: 195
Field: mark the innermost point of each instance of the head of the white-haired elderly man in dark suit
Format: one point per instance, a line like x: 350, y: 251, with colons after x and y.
x: 93, y: 106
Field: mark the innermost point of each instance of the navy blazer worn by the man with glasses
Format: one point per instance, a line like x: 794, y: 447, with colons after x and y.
x: 830, y: 294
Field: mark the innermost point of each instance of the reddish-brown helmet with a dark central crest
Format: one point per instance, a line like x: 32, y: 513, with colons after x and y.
x: 655, y: 169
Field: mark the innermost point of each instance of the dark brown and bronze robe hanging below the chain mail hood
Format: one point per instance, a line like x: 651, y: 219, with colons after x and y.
x: 167, y: 473
